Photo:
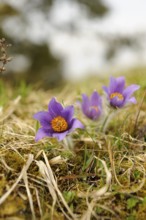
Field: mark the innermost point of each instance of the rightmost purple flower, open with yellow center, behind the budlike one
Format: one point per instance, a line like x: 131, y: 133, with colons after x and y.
x: 117, y: 95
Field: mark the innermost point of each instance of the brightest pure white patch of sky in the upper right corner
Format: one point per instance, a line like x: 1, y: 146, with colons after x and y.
x: 128, y: 16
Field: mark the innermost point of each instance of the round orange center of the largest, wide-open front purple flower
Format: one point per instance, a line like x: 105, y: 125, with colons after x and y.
x: 59, y: 124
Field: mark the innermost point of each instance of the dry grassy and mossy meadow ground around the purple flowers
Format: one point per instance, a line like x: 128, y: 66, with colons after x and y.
x: 102, y: 177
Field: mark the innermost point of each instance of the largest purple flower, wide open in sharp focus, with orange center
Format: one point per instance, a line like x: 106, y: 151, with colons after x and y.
x: 57, y: 122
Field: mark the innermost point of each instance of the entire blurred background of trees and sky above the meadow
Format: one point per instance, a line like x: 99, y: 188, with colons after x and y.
x: 67, y: 40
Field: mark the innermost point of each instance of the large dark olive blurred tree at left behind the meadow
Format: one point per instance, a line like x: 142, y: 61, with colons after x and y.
x: 43, y: 68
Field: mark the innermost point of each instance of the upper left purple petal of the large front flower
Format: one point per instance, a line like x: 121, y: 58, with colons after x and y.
x: 44, y: 118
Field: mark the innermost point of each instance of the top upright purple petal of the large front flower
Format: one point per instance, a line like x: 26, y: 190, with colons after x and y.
x: 54, y: 108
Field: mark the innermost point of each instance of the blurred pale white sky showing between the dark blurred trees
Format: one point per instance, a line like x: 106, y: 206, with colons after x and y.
x: 84, y: 53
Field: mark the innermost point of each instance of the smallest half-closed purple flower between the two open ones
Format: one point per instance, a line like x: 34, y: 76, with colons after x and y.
x: 92, y: 106
